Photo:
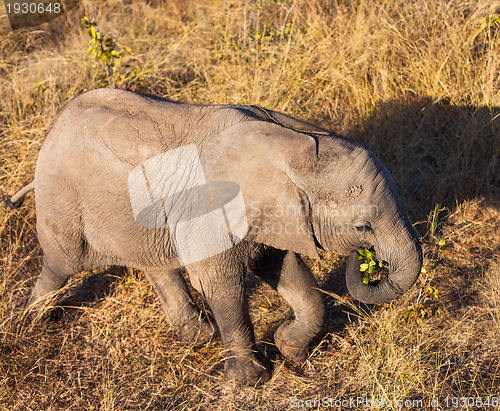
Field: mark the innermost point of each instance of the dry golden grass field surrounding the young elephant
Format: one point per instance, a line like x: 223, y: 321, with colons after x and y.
x: 416, y: 81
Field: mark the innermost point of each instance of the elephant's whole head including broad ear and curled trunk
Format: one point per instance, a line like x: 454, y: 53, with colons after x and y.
x: 303, y: 190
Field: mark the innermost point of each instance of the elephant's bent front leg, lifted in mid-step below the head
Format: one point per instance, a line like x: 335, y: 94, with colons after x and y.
x: 288, y: 274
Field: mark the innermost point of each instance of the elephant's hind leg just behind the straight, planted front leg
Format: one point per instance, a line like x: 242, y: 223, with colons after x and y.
x: 180, y: 310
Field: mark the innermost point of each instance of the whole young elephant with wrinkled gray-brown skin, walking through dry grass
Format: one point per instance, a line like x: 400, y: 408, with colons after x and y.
x: 84, y: 216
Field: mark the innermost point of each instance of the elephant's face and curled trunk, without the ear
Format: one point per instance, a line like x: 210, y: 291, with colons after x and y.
x: 355, y: 204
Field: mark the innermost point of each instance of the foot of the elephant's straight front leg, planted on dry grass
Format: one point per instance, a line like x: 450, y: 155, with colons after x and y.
x: 246, y: 369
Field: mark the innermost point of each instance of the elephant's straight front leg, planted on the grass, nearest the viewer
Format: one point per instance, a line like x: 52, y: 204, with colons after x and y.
x: 222, y: 283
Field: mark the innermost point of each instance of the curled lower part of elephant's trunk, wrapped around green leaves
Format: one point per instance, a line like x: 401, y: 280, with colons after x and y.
x: 404, y: 266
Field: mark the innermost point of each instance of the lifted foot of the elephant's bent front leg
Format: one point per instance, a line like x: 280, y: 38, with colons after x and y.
x: 291, y: 342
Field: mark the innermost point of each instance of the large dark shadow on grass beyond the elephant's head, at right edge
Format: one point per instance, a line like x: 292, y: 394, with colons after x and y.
x: 438, y: 153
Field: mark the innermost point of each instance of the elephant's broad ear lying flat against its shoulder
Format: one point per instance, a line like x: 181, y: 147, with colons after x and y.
x: 258, y: 156
